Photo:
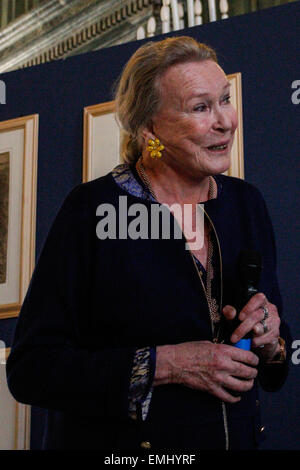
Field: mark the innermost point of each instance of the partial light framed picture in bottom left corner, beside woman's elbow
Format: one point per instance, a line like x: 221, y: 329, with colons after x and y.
x: 14, y: 416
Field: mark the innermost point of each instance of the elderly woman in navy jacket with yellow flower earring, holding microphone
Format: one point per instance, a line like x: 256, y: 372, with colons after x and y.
x: 128, y: 342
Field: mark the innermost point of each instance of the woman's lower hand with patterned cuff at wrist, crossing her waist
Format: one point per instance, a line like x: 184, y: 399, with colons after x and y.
x: 206, y: 366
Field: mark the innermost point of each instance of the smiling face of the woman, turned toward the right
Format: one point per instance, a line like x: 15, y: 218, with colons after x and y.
x: 196, y: 121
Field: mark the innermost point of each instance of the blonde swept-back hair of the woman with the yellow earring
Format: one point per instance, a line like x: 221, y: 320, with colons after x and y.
x: 137, y: 95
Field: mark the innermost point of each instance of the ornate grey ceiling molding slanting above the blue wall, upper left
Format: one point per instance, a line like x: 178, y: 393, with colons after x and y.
x: 55, y: 31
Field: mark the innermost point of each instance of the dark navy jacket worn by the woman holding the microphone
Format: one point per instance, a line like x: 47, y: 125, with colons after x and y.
x: 92, y: 302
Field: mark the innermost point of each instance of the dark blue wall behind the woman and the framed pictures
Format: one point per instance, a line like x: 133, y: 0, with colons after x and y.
x: 265, y: 48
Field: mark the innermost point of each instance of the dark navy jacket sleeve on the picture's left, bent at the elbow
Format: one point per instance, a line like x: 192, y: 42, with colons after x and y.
x: 49, y: 365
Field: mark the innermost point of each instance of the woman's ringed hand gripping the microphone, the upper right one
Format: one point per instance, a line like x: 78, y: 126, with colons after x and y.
x: 264, y: 338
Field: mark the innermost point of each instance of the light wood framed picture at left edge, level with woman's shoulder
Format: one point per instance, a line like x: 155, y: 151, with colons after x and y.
x: 18, y: 179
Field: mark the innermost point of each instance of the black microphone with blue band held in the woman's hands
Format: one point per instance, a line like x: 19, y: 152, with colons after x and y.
x: 249, y: 271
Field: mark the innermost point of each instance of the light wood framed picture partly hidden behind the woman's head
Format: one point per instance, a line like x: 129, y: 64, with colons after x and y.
x: 103, y: 140
